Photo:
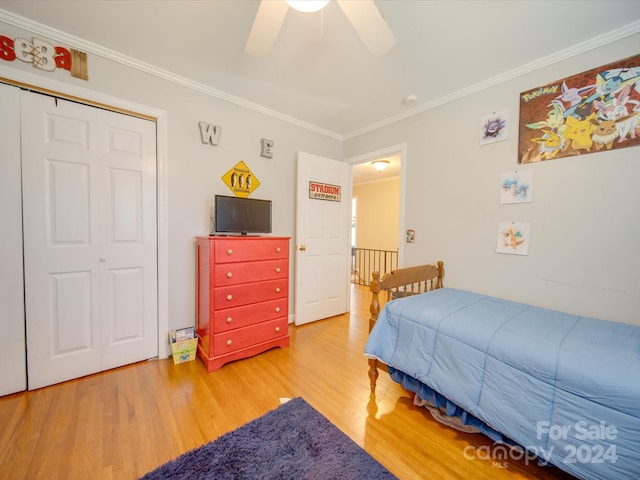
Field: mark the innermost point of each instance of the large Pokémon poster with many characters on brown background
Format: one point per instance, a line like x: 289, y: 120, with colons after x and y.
x: 590, y: 112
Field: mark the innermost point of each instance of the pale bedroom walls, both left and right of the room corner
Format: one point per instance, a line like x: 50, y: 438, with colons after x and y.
x: 585, y: 220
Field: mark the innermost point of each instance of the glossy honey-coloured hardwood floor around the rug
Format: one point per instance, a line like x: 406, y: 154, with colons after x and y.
x: 125, y: 422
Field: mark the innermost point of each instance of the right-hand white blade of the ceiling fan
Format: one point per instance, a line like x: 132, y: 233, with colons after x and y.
x: 369, y: 24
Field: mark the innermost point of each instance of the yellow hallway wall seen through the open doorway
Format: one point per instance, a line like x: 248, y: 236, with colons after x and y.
x: 378, y: 204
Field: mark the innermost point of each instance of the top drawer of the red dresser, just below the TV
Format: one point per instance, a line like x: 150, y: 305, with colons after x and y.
x: 230, y: 250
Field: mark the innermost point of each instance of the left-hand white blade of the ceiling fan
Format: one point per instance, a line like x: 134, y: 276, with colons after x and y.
x: 266, y: 27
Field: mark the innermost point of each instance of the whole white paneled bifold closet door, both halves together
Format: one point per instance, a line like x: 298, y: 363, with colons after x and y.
x: 89, y: 203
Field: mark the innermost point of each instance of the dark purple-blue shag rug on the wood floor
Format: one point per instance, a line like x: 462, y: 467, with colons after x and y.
x: 294, y: 441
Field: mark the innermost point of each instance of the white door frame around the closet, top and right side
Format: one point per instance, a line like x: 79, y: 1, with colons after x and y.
x: 25, y: 79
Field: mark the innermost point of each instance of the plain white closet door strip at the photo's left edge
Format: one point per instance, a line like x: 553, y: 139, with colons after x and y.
x: 13, y: 371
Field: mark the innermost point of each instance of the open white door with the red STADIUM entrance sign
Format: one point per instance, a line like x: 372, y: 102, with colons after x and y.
x: 322, y: 238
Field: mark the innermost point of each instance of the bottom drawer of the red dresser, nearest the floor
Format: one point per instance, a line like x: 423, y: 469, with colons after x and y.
x: 239, y: 338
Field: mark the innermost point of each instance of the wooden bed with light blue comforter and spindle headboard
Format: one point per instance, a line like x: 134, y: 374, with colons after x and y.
x: 562, y: 387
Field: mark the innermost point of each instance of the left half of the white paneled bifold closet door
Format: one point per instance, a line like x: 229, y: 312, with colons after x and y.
x: 60, y: 165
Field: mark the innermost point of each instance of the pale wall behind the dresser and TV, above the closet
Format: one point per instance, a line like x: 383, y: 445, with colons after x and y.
x: 195, y: 169
